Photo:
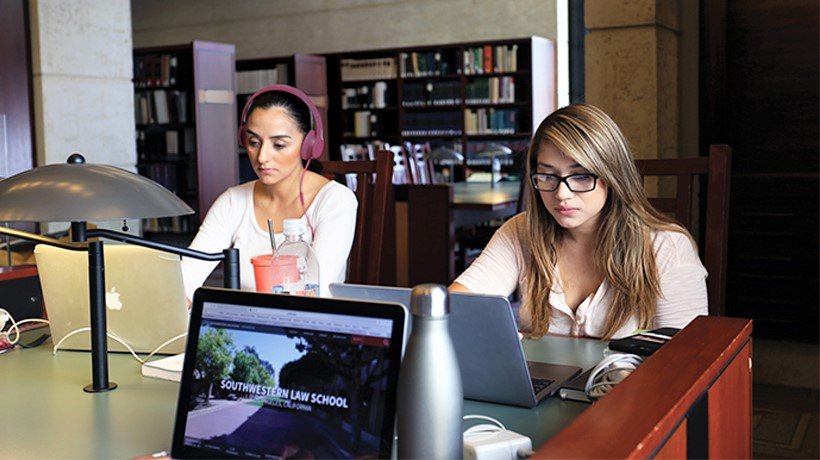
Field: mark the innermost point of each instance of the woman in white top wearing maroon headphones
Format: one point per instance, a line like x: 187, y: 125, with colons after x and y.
x: 281, y: 130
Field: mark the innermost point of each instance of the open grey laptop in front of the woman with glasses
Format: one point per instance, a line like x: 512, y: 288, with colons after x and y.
x: 485, y: 337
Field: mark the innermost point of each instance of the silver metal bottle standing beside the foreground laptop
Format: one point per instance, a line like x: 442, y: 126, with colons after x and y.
x: 430, y: 395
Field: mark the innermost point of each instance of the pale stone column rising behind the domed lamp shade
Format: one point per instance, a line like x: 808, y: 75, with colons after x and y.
x: 82, y: 69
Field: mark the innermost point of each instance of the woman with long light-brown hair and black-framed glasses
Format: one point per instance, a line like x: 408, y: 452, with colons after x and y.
x: 590, y: 256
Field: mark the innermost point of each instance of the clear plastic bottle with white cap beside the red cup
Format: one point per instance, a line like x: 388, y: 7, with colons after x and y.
x: 294, y: 267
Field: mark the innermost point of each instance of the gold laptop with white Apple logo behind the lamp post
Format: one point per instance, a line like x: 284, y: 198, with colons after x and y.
x: 144, y: 297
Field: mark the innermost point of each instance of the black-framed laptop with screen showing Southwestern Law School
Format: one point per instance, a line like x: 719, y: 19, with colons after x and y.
x: 278, y: 376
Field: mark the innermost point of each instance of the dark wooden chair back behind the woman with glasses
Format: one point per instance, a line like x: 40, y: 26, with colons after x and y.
x: 715, y: 172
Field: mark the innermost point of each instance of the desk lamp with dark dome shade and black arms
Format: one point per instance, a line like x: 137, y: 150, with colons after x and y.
x: 76, y: 192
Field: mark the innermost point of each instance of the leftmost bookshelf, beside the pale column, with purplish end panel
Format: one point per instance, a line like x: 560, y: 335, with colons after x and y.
x: 185, y: 127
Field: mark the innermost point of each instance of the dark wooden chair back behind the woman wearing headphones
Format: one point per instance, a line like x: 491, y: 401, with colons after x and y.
x: 373, y: 223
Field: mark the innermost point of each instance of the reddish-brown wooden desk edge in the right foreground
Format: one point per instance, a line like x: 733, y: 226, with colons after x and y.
x: 637, y: 418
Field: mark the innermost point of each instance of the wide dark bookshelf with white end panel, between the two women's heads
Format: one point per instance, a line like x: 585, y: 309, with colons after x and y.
x: 464, y: 96
